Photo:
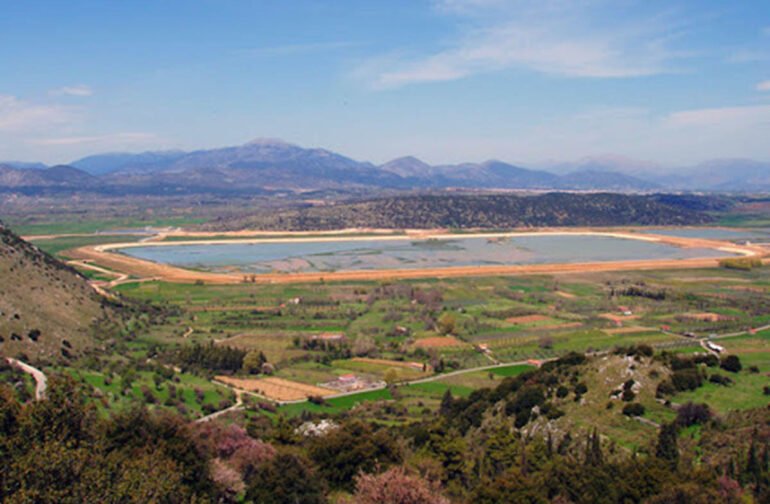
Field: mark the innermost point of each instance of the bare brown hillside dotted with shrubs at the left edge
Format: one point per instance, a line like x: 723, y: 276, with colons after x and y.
x: 47, y: 309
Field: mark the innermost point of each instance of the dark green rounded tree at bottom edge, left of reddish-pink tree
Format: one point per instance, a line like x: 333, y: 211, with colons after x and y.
x: 287, y: 478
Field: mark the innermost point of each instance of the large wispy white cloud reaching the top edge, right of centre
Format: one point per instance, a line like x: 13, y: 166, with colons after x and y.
x: 570, y: 39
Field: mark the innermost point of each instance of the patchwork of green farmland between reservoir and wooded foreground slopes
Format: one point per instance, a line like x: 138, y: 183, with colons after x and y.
x: 383, y: 320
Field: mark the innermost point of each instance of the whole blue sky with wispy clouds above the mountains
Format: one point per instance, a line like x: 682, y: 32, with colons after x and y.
x: 671, y: 82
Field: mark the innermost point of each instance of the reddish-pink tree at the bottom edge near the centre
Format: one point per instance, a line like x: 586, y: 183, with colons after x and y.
x: 395, y: 486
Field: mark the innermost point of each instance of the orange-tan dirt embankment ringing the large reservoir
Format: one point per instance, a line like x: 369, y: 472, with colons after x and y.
x: 102, y: 254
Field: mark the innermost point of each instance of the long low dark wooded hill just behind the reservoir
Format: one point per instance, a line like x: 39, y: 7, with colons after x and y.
x: 486, y: 211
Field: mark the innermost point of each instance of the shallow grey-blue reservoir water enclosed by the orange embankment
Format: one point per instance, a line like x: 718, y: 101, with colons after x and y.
x: 292, y: 256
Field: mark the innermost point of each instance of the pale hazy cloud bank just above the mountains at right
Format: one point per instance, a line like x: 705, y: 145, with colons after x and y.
x: 674, y: 139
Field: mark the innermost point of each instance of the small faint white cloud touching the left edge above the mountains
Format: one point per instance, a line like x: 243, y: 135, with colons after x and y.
x: 18, y: 115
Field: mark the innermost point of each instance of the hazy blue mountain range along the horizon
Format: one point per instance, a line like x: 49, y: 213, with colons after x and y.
x: 270, y: 165
